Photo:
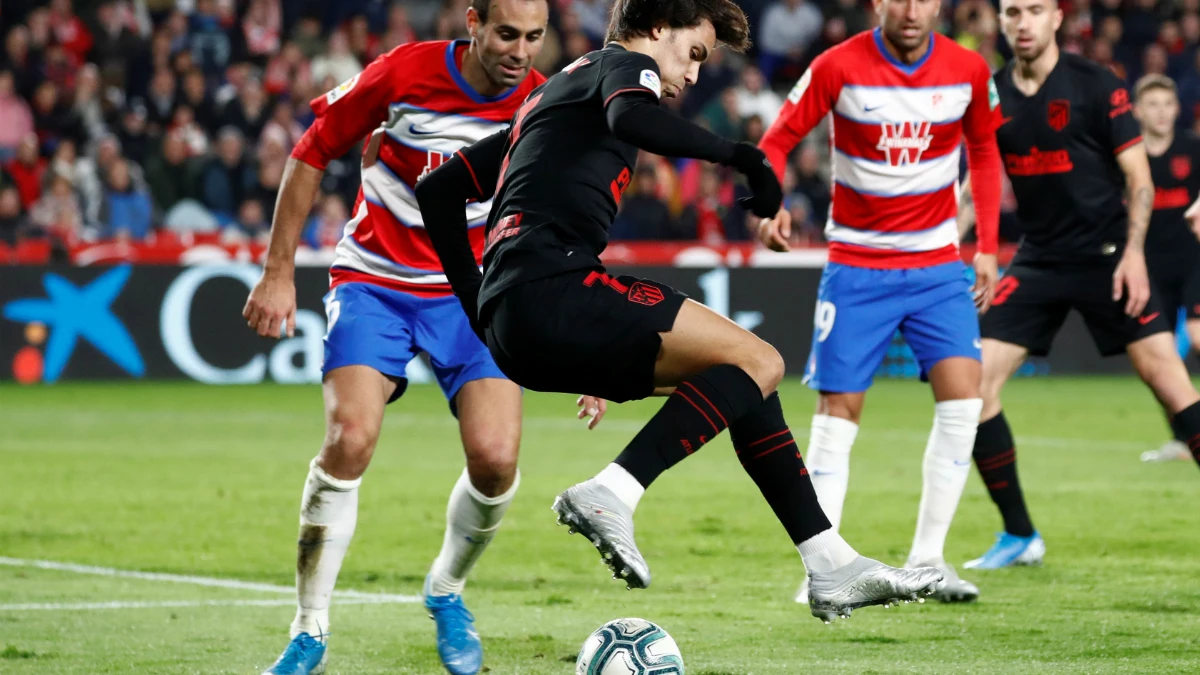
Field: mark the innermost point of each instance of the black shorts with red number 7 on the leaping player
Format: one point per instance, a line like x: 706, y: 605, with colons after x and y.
x: 583, y: 332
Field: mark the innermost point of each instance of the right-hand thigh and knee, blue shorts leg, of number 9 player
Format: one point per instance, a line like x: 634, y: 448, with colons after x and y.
x: 943, y: 330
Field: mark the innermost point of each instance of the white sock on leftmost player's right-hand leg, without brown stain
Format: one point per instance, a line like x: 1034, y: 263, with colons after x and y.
x: 472, y: 523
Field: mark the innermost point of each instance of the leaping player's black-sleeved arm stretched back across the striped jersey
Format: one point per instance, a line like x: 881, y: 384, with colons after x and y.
x: 442, y: 196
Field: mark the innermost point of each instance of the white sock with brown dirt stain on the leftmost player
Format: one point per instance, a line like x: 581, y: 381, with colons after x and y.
x: 329, y: 512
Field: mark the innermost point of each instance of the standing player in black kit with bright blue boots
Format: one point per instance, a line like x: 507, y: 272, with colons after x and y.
x: 1072, y: 148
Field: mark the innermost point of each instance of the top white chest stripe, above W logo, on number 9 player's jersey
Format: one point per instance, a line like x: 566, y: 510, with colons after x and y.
x: 878, y: 105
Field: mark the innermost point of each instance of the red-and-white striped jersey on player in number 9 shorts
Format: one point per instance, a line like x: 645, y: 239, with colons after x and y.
x: 896, y: 134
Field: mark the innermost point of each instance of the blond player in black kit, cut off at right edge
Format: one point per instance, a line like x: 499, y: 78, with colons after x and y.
x: 1173, y: 249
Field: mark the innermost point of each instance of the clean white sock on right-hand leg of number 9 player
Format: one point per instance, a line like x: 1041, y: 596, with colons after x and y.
x: 946, y: 469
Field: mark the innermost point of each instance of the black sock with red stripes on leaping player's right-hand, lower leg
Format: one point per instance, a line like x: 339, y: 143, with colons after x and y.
x: 771, y: 457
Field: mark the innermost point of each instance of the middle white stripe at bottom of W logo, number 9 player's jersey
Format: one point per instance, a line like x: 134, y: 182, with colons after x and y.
x: 884, y: 180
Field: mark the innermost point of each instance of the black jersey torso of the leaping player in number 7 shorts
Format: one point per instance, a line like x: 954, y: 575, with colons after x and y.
x: 563, y: 172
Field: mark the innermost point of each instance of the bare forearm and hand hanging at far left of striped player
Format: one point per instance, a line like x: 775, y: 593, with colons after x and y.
x: 273, y: 302
